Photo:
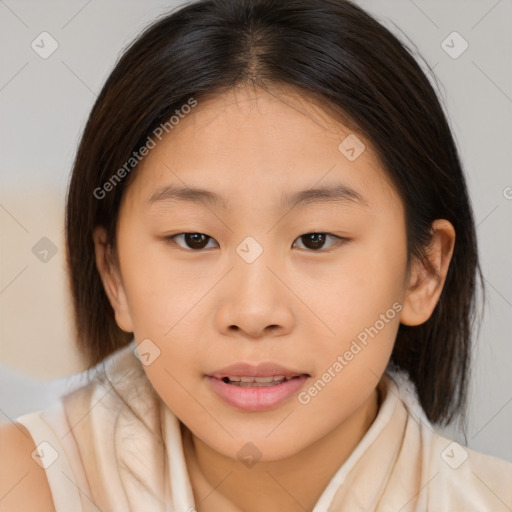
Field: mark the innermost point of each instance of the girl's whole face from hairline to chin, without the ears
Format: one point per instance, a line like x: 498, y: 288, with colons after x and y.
x: 315, y: 287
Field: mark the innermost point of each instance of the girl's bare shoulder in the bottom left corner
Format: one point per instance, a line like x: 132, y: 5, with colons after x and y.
x: 23, y: 482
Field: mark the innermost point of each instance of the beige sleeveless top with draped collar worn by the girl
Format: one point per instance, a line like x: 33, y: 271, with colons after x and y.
x: 113, y: 445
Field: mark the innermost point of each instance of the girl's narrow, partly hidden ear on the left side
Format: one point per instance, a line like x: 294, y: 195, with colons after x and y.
x: 111, y: 279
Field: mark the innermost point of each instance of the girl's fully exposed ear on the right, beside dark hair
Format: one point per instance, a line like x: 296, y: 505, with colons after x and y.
x: 424, y: 287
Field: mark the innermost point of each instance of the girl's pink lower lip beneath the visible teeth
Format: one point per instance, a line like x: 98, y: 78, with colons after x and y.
x: 256, y: 398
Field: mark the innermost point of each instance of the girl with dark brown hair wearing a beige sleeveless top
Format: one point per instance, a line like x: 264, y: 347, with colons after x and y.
x: 273, y: 261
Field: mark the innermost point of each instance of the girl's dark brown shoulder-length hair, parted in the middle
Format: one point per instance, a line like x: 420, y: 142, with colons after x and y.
x: 360, y: 73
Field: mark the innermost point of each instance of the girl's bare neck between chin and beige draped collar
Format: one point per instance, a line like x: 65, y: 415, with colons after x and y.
x: 293, y: 484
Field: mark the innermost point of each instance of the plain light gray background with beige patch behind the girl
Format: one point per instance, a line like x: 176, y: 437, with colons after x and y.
x: 44, y: 104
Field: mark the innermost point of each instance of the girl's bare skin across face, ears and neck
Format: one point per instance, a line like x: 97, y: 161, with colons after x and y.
x: 295, y: 305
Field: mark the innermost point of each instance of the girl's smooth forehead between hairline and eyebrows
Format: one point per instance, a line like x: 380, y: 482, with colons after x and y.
x: 251, y: 142
